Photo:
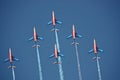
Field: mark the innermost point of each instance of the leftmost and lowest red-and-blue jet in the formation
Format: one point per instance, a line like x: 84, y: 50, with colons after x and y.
x: 10, y: 59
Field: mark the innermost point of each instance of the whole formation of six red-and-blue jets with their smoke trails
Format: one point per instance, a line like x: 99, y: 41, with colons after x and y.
x: 56, y: 53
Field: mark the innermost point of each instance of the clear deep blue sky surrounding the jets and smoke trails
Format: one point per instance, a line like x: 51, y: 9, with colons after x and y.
x: 98, y: 19
